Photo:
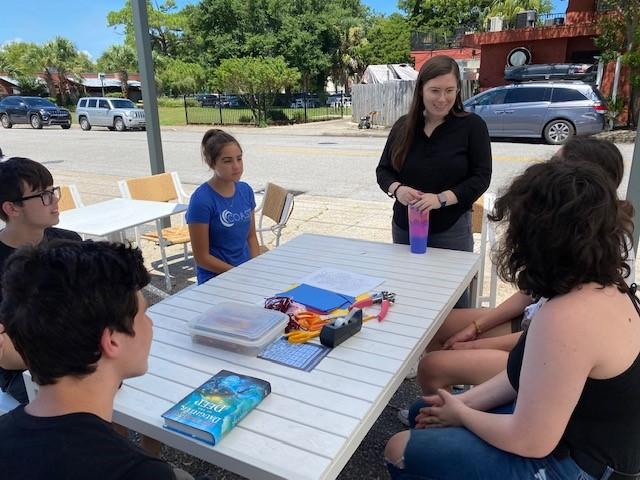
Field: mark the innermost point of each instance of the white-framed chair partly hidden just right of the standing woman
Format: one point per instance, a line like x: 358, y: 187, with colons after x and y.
x: 481, y: 225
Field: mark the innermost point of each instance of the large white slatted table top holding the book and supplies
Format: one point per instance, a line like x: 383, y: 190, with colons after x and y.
x: 312, y: 422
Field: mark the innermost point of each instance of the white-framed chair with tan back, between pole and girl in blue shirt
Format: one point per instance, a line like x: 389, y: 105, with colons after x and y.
x: 164, y: 187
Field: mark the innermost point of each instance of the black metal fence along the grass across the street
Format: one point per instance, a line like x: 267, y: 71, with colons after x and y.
x: 225, y: 109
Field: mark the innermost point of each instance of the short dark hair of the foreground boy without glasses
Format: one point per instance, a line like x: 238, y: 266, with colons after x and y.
x: 58, y: 298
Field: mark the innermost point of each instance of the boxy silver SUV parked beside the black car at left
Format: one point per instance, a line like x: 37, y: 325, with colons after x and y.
x: 114, y: 113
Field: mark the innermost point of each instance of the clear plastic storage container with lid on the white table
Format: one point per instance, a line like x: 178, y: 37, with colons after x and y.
x: 238, y: 327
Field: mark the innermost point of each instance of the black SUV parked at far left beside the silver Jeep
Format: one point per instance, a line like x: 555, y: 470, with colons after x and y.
x: 36, y: 111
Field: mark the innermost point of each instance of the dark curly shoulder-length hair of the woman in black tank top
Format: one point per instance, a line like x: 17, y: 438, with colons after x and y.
x: 564, y: 228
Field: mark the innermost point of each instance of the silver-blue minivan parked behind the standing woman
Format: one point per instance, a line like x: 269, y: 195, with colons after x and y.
x: 554, y: 111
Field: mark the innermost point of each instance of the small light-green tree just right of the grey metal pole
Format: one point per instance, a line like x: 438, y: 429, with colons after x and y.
x: 177, y: 77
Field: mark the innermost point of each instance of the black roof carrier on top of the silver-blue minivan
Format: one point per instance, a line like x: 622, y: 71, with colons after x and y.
x: 552, y: 71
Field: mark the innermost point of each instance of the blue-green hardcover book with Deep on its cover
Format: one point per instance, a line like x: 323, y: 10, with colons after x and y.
x: 216, y: 406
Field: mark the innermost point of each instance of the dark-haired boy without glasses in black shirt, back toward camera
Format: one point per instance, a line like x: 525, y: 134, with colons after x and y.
x: 80, y: 340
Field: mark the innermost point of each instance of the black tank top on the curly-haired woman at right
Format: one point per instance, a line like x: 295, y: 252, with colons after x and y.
x: 605, y: 425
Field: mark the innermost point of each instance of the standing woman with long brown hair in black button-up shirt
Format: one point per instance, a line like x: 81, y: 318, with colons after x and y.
x: 438, y: 158
